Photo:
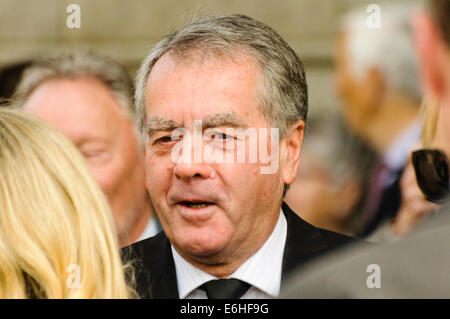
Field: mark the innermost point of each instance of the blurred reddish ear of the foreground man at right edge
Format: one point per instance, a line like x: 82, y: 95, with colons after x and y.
x: 429, y: 47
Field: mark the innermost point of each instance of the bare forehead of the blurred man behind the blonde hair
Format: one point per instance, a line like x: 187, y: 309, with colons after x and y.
x: 80, y: 109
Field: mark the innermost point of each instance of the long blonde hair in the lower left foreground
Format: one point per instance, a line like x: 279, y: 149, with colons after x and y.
x: 55, y: 223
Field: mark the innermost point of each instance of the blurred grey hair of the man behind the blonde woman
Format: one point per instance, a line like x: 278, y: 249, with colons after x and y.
x: 75, y: 65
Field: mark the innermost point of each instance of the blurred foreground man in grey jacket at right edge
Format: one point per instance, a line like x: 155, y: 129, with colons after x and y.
x: 416, y: 266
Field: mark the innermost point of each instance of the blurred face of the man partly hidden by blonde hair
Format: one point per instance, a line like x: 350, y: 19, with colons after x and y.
x: 86, y: 112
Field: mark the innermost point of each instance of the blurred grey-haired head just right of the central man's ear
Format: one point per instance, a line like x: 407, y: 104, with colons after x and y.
x: 331, y: 180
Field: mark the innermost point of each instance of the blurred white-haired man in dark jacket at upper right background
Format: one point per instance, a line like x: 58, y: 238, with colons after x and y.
x: 378, y: 83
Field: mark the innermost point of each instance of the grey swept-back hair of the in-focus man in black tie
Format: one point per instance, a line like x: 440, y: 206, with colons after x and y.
x: 283, y: 93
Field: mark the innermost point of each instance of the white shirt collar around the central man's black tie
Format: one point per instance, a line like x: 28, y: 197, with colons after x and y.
x: 262, y: 270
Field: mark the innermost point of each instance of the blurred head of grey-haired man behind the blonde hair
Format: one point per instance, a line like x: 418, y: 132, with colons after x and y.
x: 89, y: 99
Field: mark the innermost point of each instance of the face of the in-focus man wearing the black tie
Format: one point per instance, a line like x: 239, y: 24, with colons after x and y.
x: 239, y: 204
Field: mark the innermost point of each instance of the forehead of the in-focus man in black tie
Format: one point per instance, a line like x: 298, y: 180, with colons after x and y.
x: 199, y: 89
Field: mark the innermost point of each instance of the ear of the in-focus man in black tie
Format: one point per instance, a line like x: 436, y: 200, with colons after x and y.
x: 291, y: 151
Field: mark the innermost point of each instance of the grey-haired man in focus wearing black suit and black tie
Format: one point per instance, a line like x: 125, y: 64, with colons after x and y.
x: 227, y: 232
